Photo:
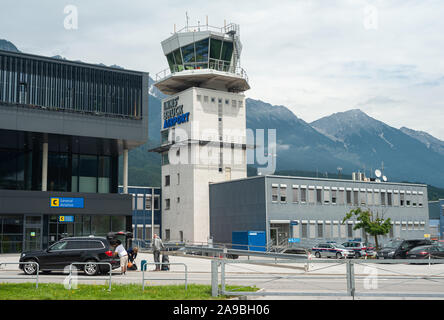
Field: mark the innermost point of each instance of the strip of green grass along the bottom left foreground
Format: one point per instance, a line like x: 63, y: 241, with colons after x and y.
x: 49, y: 291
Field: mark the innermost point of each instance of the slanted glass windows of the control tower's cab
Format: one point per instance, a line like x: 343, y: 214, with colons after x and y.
x: 207, y: 53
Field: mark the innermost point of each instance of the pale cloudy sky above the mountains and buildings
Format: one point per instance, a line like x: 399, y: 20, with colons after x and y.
x: 315, y: 57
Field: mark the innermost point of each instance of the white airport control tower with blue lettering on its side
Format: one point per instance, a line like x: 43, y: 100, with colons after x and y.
x: 203, y: 125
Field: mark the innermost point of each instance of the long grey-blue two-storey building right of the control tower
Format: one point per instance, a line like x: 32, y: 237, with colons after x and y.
x: 307, y: 210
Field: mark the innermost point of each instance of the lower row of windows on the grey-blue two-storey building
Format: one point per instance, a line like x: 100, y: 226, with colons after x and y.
x: 327, y: 229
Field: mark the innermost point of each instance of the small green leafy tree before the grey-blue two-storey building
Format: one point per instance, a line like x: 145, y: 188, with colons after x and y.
x: 370, y: 223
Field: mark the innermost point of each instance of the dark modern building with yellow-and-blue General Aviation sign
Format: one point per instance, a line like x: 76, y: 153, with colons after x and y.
x: 63, y: 126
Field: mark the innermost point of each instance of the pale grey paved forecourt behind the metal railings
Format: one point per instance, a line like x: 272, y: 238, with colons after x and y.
x: 281, y: 281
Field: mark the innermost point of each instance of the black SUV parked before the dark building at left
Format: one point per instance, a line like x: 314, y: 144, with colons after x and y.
x: 70, y: 250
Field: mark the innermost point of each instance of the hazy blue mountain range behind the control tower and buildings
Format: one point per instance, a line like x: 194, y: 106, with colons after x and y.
x: 351, y: 140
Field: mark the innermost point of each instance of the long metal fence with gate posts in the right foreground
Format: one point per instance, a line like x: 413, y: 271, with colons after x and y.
x: 393, y: 278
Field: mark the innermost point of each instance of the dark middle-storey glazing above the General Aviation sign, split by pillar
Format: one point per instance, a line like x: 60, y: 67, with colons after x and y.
x: 73, y: 165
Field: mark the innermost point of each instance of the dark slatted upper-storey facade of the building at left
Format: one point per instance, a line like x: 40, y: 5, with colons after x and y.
x: 52, y: 84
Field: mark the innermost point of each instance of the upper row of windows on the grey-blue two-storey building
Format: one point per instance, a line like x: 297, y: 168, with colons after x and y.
x: 347, y: 196
